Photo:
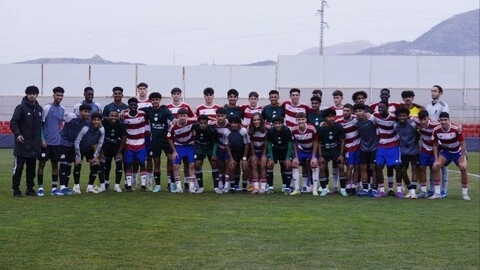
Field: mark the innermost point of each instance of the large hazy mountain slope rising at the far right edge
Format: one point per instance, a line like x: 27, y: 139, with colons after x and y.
x: 459, y: 35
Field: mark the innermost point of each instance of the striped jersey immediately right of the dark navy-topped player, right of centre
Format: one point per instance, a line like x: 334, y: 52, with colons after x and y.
x: 385, y: 131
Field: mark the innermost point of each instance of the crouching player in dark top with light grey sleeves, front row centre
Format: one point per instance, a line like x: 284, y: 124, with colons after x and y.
x: 237, y: 144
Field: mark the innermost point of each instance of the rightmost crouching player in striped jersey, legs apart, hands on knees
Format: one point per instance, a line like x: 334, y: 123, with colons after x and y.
x: 453, y: 149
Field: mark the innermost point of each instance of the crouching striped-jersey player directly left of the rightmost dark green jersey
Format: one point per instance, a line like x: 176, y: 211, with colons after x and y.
x: 305, y: 145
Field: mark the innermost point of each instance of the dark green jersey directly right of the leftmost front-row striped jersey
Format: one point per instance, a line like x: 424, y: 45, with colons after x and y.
x: 158, y: 119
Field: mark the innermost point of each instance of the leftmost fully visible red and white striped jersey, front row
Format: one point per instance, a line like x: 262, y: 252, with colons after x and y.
x: 136, y: 129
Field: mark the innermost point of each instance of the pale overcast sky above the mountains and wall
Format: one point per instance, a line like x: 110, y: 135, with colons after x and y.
x: 193, y: 32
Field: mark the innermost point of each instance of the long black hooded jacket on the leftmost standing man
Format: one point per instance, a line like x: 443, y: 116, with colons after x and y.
x: 27, y: 121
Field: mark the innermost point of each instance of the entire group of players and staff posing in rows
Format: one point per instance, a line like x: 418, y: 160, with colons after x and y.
x: 242, y: 144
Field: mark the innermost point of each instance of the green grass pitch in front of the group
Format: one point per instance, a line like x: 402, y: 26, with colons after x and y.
x: 237, y: 231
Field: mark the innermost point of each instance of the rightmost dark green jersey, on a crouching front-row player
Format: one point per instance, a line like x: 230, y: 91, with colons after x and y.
x: 329, y: 138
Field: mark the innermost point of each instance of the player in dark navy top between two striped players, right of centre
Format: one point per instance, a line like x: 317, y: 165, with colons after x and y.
x: 368, y: 146
